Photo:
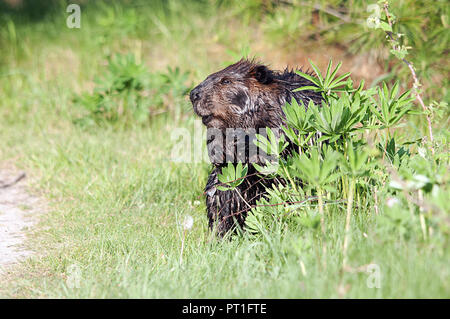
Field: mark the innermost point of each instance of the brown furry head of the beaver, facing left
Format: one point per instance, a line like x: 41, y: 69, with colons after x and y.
x: 247, y: 94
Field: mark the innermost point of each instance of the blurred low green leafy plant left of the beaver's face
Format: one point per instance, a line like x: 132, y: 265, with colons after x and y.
x: 128, y: 93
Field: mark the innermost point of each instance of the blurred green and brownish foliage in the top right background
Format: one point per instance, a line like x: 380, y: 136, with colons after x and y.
x: 359, y: 26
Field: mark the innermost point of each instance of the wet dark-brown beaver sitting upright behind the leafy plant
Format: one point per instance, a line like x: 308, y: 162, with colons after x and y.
x: 246, y: 96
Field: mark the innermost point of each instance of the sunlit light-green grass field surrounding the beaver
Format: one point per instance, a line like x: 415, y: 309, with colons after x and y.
x: 116, y: 199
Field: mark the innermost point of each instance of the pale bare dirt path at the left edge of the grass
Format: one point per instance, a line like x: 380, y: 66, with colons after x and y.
x: 17, y: 211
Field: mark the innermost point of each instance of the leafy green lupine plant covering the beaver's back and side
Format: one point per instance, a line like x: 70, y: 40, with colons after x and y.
x: 342, y: 157
